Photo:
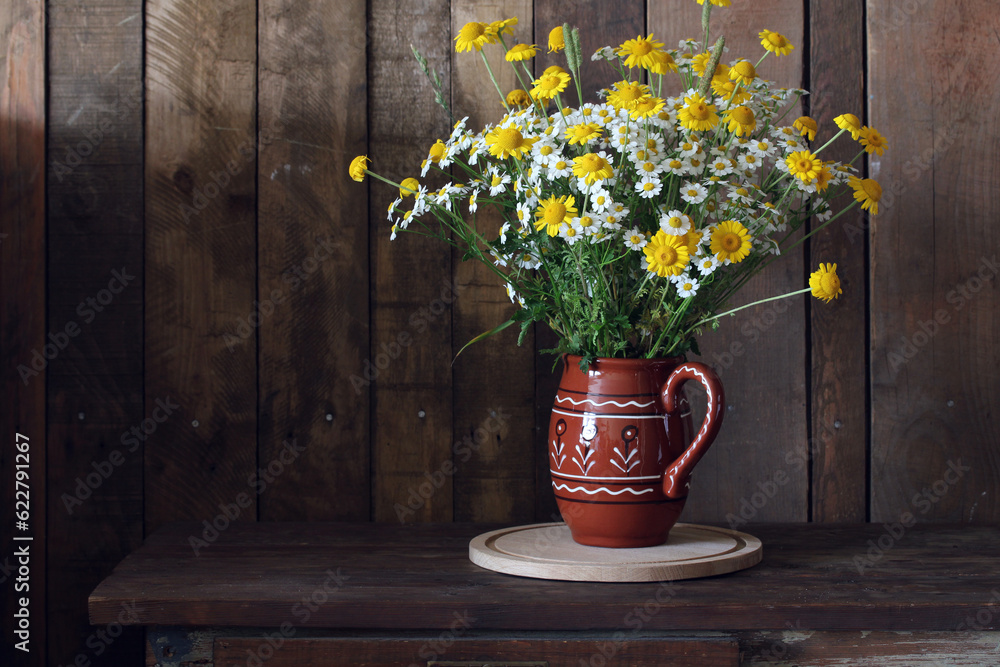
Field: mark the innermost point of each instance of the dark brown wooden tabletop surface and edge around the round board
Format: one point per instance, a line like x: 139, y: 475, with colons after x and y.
x: 391, y: 577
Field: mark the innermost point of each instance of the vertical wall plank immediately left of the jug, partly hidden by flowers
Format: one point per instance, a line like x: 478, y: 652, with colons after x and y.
x: 492, y: 379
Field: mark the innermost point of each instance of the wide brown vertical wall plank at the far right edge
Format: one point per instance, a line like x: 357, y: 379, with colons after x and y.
x: 935, y: 310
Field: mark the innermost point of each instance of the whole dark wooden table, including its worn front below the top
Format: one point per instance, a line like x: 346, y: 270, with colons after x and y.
x: 375, y: 594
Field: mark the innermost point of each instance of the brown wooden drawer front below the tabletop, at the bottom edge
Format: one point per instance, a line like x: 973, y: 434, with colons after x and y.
x: 645, y: 652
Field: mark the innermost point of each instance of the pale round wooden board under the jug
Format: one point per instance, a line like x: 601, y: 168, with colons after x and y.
x: 546, y: 551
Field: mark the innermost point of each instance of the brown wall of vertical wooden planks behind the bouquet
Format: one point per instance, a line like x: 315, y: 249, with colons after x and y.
x: 251, y: 345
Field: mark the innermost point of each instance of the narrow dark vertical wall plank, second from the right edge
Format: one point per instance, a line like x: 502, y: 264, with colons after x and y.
x: 838, y: 365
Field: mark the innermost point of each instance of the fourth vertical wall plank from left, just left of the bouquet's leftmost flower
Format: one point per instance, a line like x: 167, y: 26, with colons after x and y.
x: 313, y: 264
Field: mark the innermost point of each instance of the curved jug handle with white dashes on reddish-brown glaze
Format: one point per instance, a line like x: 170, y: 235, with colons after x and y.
x: 676, y: 478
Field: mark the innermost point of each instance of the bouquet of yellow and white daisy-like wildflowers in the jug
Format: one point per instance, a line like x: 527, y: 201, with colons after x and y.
x: 629, y: 225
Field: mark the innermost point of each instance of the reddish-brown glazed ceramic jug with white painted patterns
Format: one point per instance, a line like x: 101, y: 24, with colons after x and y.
x: 621, y: 450
